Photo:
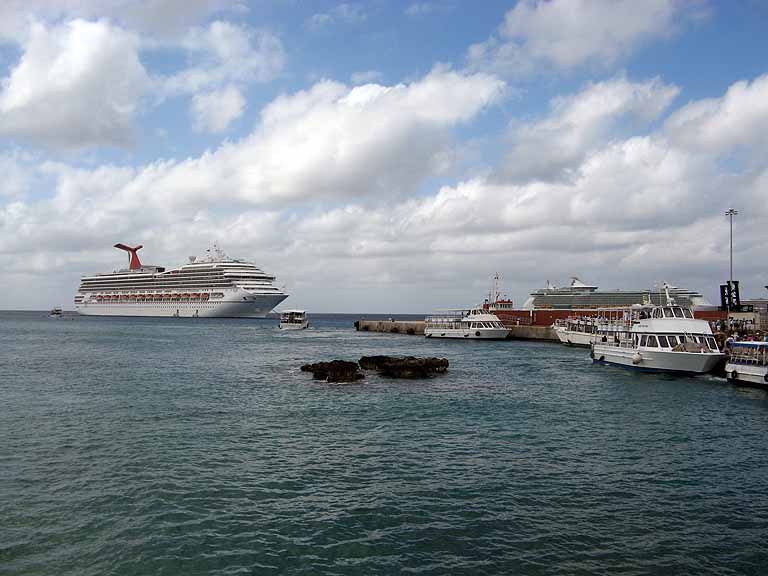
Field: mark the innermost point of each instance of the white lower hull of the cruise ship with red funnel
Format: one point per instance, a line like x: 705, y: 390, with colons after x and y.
x: 234, y: 306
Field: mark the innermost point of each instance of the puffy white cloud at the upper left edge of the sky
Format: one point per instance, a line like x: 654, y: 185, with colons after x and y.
x: 76, y: 85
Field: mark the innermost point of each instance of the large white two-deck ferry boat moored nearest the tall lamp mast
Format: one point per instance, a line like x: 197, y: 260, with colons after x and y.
x: 661, y: 338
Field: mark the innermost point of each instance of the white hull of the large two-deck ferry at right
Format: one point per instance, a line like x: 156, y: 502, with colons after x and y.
x: 657, y: 360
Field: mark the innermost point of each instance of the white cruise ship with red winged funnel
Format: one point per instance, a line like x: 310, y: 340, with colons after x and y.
x: 214, y: 286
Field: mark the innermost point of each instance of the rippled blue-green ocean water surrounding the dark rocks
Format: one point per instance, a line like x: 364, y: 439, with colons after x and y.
x: 182, y: 446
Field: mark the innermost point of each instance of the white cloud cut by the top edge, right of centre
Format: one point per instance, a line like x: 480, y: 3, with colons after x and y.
x: 565, y: 34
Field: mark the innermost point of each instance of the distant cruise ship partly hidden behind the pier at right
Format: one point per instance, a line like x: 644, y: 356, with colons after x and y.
x: 581, y: 296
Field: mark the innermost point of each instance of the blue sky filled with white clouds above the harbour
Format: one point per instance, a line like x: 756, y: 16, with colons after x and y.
x: 385, y: 156
